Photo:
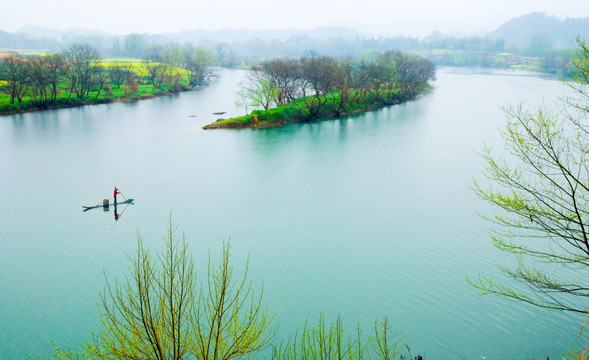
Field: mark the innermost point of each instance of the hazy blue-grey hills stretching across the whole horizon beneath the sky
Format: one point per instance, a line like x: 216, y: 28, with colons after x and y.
x: 516, y: 35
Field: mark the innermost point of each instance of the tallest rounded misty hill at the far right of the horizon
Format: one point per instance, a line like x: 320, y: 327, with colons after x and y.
x: 561, y: 34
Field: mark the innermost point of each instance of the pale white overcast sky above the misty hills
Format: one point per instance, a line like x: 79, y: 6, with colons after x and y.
x: 149, y: 16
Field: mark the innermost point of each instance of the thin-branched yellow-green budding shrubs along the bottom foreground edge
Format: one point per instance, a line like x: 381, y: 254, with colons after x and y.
x: 161, y: 311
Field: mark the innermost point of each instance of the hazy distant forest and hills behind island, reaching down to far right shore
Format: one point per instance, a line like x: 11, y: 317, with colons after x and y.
x: 534, y: 41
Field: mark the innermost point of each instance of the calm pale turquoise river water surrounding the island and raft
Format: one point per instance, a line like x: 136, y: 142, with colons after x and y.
x: 365, y: 216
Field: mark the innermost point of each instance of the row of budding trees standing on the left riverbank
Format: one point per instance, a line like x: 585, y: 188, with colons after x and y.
x: 79, y: 70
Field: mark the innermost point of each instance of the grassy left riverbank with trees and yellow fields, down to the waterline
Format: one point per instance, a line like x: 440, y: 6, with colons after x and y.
x: 79, y: 76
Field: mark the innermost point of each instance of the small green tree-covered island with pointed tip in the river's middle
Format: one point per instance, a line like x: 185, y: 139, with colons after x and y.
x: 322, y: 87
